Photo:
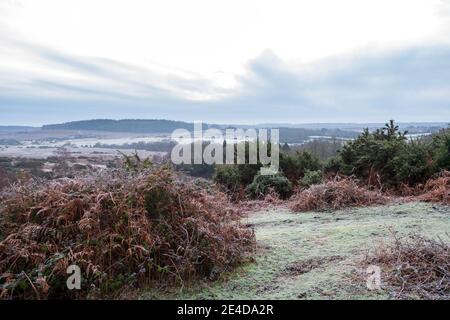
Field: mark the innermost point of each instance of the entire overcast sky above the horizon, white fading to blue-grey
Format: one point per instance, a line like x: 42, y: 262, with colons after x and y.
x: 225, y: 61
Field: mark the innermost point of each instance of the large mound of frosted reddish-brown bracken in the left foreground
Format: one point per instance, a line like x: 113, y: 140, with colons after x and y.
x: 123, y: 230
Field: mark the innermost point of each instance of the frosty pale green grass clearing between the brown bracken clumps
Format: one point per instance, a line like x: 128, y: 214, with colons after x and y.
x: 317, y: 255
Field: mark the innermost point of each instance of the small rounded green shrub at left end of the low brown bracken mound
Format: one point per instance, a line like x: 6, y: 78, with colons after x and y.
x: 262, y: 184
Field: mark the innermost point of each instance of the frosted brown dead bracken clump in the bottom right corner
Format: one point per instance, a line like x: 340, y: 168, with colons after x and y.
x: 414, y: 267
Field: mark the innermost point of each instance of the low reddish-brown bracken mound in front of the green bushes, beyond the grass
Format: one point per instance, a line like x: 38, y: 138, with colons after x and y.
x: 334, y: 194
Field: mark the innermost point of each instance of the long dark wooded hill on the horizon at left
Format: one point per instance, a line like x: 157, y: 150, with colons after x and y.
x: 127, y: 125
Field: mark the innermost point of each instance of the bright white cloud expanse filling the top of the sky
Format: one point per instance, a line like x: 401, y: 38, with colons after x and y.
x: 205, y: 36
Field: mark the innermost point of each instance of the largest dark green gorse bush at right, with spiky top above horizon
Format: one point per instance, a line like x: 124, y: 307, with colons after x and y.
x: 387, y: 157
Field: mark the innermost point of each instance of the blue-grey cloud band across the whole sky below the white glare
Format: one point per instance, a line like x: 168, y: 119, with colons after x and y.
x: 411, y: 84
